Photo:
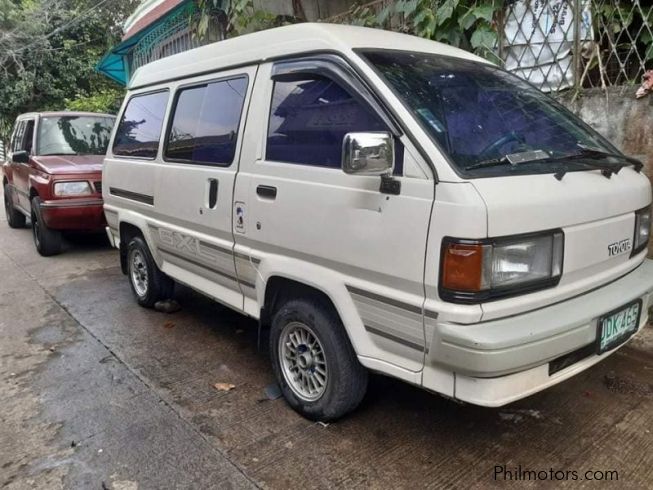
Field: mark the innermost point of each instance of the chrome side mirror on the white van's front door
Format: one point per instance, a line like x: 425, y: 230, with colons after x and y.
x: 368, y: 153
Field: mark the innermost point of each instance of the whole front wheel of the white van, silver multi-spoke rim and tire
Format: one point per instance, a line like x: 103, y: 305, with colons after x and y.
x: 314, y: 363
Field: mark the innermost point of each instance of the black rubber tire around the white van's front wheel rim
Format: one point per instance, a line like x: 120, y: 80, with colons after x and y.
x: 346, y: 378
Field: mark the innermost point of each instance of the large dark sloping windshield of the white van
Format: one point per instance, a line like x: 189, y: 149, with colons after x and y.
x: 484, y: 118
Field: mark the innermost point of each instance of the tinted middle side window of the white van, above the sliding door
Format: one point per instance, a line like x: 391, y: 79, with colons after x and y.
x: 205, y: 124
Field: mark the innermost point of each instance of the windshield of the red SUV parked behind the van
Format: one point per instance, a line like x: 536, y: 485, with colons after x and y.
x: 74, y: 135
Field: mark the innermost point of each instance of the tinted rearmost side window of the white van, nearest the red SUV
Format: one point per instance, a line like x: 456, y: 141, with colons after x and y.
x: 140, y: 126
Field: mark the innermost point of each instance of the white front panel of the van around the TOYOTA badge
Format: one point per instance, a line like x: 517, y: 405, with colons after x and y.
x: 594, y: 212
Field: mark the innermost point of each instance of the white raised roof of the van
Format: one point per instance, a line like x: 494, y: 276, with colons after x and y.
x: 284, y: 41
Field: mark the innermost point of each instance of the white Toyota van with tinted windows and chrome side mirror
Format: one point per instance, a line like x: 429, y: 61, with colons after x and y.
x: 383, y: 203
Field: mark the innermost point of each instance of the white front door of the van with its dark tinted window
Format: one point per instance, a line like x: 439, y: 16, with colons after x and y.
x: 299, y: 204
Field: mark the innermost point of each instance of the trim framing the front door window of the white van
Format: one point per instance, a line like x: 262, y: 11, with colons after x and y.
x: 338, y: 70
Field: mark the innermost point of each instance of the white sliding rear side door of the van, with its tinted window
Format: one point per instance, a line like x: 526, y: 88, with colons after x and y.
x: 194, y: 189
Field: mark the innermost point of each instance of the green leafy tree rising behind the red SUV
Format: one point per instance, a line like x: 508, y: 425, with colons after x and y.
x: 48, y: 52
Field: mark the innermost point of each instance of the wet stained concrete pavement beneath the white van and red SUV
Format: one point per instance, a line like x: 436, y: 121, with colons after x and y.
x: 96, y: 392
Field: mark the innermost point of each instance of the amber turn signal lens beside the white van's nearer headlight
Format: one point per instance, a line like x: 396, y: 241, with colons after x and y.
x: 462, y: 267
